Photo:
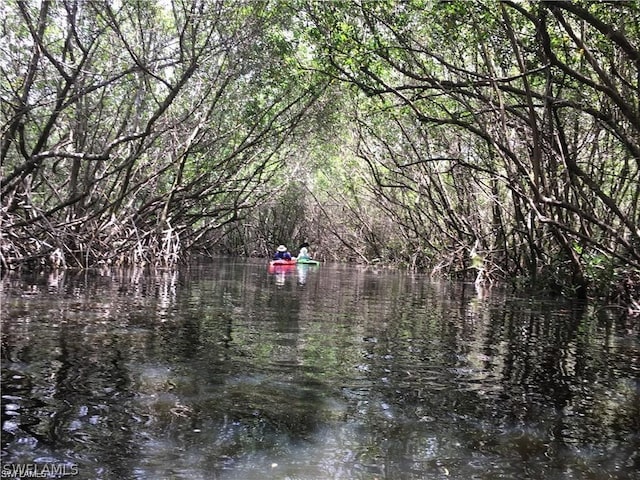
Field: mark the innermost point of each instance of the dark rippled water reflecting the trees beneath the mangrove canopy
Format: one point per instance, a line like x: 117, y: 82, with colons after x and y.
x: 227, y: 372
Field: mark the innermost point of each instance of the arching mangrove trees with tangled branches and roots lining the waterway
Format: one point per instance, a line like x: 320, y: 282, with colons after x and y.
x: 490, y: 142
